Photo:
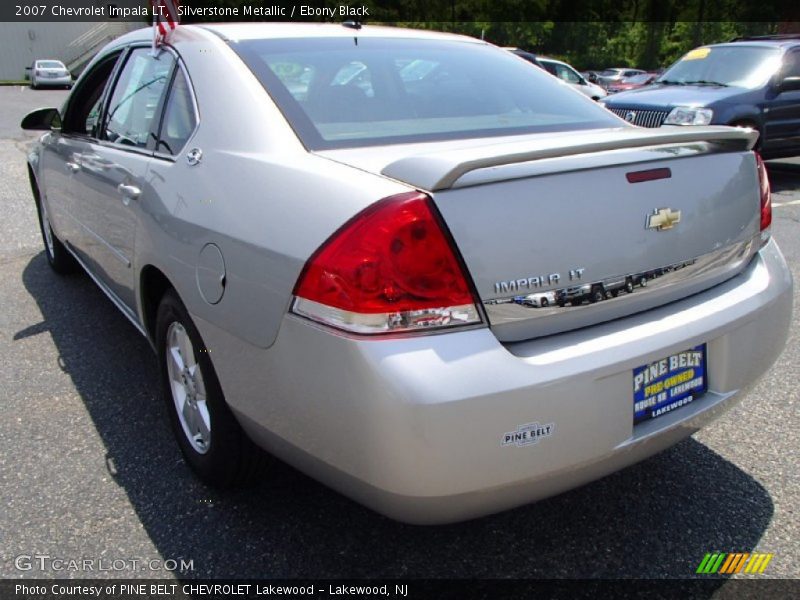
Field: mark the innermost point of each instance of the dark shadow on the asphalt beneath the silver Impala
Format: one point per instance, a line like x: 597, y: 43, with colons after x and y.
x: 655, y: 519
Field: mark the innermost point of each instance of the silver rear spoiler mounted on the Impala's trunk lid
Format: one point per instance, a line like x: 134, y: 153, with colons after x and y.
x: 441, y: 171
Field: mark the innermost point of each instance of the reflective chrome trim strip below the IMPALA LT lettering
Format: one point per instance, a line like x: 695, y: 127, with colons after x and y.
x: 626, y: 293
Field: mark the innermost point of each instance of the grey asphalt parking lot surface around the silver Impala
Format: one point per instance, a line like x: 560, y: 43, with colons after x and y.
x: 89, y: 469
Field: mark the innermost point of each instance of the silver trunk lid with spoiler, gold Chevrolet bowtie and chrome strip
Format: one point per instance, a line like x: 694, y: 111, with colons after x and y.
x: 561, y: 233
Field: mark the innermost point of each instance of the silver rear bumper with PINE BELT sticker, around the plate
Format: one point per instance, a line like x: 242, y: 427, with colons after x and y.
x: 413, y: 427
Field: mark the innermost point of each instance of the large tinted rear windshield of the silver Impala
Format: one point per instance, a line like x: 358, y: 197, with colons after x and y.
x: 337, y: 93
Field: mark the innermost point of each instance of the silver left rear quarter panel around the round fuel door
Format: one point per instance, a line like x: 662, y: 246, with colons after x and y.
x: 257, y: 194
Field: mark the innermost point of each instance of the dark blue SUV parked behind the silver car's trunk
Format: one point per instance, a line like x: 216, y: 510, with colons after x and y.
x: 751, y: 83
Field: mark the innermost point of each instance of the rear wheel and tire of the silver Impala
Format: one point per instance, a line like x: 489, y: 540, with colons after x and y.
x: 210, y: 438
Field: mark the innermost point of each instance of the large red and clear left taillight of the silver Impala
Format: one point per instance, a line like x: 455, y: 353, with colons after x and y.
x: 390, y: 268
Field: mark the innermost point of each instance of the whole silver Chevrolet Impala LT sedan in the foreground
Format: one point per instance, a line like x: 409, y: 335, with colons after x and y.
x: 410, y: 264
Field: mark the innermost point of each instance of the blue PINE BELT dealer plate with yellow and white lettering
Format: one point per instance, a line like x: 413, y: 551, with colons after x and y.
x: 669, y: 383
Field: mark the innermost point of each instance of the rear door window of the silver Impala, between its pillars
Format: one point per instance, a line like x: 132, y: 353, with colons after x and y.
x: 134, y: 105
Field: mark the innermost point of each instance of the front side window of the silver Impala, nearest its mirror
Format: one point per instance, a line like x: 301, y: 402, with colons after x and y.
x: 82, y: 114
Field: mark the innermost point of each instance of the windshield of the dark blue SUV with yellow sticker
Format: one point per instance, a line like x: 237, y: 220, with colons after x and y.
x: 740, y: 66
